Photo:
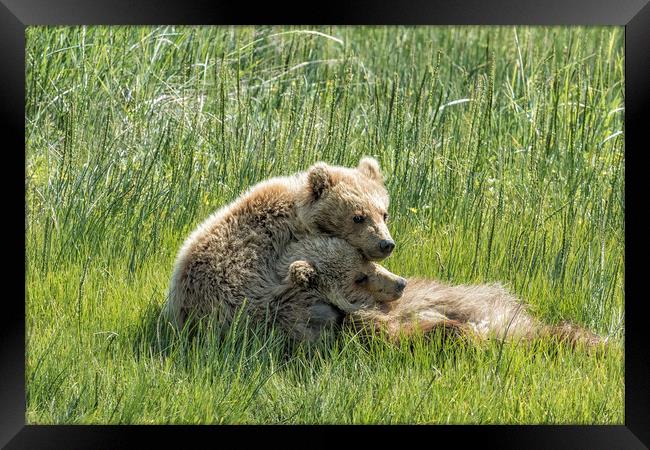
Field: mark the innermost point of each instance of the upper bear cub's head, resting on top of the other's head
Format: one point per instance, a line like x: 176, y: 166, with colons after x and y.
x: 352, y: 204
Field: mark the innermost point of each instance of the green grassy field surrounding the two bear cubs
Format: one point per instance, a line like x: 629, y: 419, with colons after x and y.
x: 503, y: 150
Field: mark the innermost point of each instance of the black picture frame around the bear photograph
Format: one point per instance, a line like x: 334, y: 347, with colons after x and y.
x: 16, y: 15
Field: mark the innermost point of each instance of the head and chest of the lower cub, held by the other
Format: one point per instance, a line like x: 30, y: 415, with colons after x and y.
x: 324, y: 278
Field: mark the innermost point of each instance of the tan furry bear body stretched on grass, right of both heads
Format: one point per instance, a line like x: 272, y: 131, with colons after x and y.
x: 483, y: 311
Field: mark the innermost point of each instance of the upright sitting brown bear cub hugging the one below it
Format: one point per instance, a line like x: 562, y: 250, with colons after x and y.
x: 231, y: 257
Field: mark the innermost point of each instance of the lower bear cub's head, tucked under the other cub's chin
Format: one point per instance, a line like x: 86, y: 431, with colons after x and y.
x: 334, y: 271
